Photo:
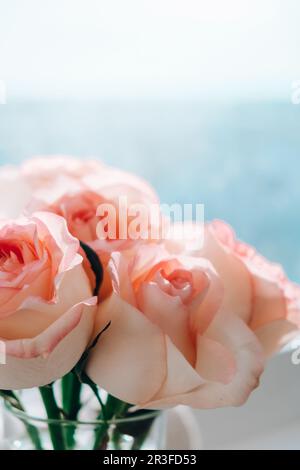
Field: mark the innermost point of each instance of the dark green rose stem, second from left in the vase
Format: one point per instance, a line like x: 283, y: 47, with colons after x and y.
x: 53, y: 413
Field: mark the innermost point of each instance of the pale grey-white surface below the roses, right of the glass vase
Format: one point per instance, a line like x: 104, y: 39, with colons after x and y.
x: 269, y: 420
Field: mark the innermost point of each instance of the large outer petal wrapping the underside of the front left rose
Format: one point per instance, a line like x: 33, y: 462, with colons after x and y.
x: 50, y: 355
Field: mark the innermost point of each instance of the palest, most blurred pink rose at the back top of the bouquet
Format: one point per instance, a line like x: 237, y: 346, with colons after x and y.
x: 47, y: 179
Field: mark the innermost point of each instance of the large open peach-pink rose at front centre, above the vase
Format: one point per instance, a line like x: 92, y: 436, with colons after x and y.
x: 171, y: 340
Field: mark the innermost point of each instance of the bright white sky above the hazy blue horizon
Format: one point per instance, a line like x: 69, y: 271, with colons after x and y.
x: 150, y: 48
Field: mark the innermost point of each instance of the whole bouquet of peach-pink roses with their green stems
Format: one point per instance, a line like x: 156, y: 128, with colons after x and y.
x: 142, y: 323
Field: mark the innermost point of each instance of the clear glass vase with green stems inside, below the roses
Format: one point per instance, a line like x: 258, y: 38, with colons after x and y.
x: 144, y: 430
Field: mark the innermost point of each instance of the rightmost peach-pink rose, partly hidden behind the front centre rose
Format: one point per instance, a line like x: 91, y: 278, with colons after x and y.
x: 254, y: 289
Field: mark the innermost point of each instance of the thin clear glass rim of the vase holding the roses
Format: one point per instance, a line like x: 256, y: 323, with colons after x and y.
x: 22, y: 415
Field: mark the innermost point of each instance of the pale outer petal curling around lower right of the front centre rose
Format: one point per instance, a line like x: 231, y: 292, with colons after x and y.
x: 233, y: 334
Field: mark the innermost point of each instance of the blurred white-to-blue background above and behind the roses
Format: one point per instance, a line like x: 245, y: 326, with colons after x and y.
x: 194, y: 96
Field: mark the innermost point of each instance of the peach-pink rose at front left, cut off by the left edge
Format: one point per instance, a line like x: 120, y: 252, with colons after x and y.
x: 45, y: 323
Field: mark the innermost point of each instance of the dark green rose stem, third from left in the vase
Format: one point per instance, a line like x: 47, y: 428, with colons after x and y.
x: 71, y: 390
